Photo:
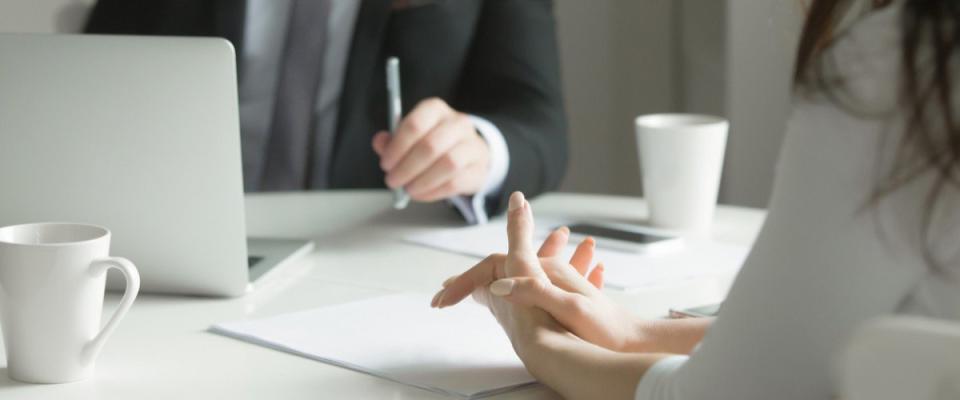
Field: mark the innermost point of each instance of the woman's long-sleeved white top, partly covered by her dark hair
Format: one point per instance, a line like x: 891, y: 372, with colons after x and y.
x: 826, y: 260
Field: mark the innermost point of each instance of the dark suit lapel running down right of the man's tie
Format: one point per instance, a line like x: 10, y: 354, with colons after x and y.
x: 362, y: 60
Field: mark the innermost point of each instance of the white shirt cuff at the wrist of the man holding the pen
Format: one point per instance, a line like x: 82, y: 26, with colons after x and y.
x: 473, y: 207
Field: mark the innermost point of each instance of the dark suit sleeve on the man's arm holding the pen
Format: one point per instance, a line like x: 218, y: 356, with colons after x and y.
x: 512, y: 79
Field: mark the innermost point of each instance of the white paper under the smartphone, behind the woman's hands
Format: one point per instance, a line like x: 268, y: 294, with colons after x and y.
x: 696, y: 259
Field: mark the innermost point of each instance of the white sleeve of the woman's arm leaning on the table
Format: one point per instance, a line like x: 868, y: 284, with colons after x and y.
x: 826, y: 261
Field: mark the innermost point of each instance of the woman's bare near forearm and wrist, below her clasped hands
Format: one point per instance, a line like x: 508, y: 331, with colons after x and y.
x: 580, y: 370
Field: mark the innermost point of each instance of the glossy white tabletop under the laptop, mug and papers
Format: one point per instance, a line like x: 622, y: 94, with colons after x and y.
x: 162, y: 350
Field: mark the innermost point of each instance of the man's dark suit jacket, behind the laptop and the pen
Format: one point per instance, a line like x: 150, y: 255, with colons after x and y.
x: 495, y: 58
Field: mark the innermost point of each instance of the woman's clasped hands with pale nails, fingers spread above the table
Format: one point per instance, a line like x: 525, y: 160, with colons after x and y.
x: 530, y: 287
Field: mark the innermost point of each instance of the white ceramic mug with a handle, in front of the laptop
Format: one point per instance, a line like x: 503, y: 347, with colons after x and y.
x: 52, y: 278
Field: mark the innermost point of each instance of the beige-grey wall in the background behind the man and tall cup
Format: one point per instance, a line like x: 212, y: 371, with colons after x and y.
x: 623, y: 58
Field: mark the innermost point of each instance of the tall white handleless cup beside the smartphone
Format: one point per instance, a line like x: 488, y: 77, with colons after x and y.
x: 681, y: 157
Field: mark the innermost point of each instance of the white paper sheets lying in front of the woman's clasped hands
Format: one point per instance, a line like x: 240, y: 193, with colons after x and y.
x: 458, y: 351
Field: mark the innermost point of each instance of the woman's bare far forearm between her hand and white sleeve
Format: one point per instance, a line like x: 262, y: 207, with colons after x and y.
x: 676, y: 336
